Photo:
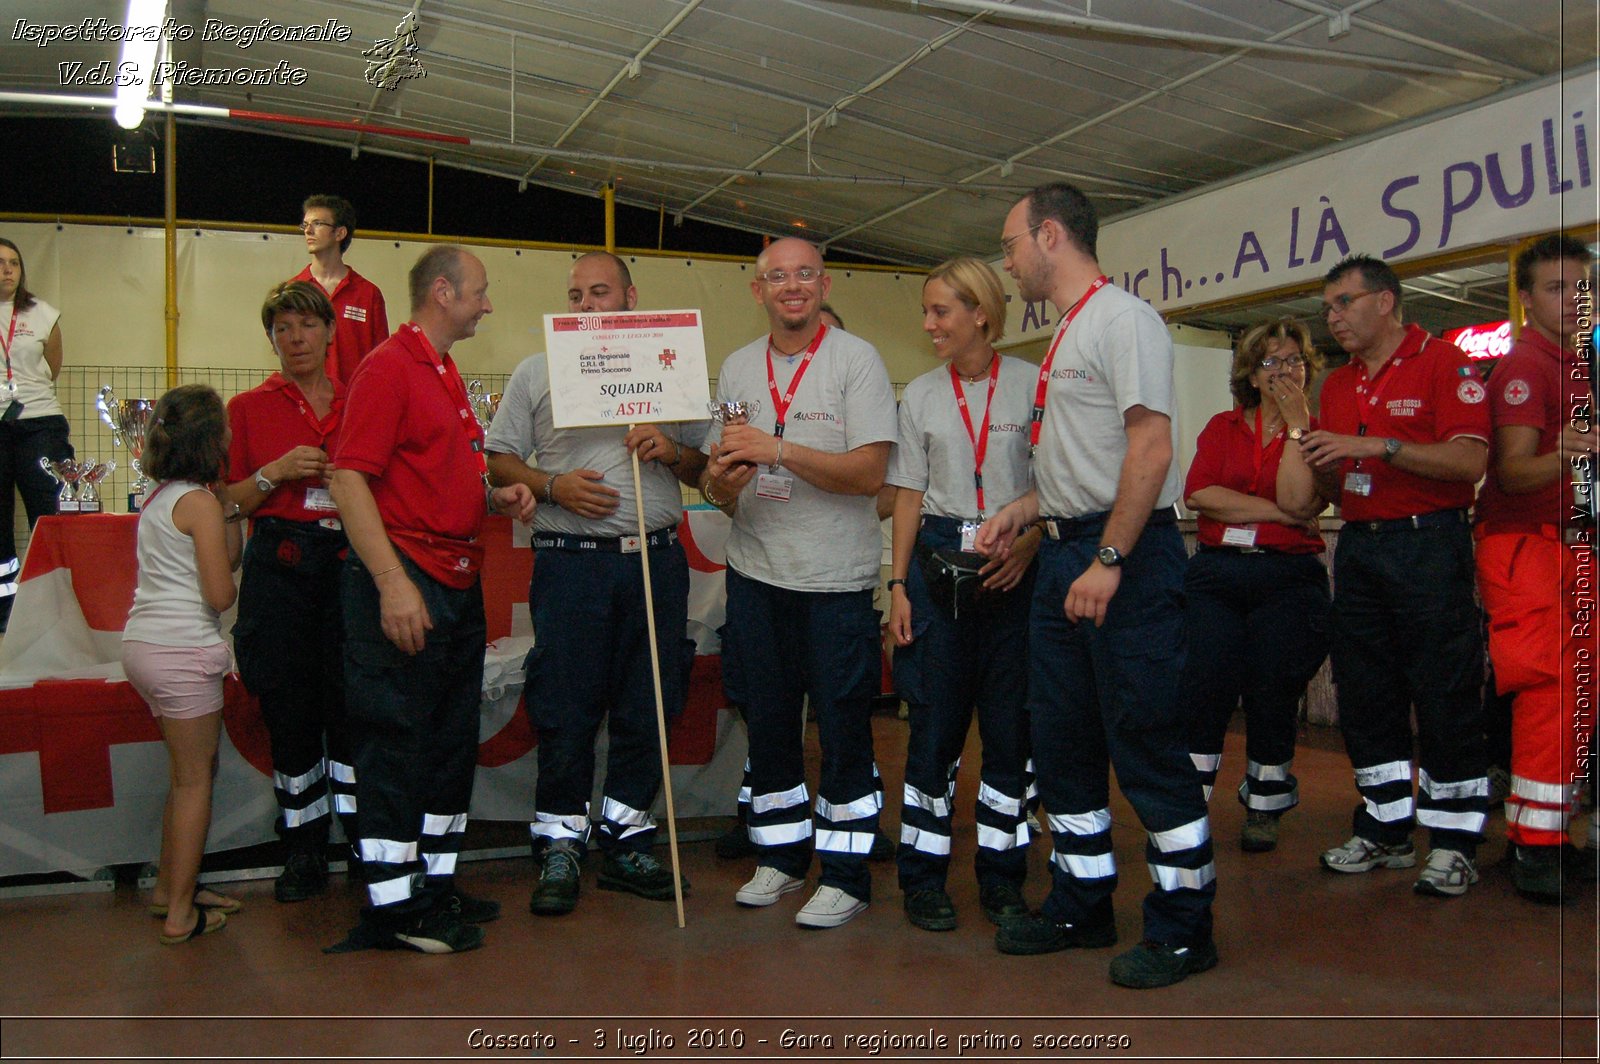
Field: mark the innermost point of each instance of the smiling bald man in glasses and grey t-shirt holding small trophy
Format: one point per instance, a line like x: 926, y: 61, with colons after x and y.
x: 801, y: 473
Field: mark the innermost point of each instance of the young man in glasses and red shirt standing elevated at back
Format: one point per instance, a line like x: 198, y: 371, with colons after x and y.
x: 361, y: 321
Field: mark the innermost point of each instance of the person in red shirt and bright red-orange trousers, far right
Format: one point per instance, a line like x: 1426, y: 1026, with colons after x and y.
x: 1535, y: 538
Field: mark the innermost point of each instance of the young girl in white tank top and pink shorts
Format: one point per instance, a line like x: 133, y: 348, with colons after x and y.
x: 174, y: 649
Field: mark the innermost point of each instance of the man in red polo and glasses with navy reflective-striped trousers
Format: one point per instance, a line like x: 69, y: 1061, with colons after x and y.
x: 1402, y: 442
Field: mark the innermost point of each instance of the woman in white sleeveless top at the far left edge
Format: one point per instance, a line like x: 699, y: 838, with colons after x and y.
x: 33, y: 425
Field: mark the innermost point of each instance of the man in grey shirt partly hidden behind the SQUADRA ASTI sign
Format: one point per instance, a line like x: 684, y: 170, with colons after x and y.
x: 591, y: 658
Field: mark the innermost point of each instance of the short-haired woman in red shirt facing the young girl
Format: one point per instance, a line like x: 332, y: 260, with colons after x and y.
x: 290, y: 631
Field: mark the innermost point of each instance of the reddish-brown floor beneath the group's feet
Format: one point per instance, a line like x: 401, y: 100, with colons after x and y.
x: 1314, y: 966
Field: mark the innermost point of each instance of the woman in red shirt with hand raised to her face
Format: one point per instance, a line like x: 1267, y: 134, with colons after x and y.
x: 1257, y: 591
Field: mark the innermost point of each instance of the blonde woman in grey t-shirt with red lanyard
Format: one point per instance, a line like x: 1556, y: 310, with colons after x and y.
x: 961, y: 620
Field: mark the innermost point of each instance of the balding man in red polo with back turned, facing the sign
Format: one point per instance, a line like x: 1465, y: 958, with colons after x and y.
x: 409, y: 481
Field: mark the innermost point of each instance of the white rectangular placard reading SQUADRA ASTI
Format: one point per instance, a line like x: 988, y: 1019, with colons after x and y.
x: 631, y: 367
